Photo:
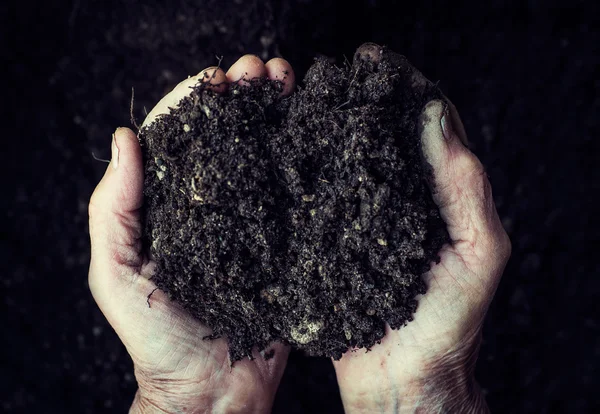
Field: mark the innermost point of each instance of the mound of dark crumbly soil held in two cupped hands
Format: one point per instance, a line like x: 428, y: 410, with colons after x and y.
x: 305, y: 219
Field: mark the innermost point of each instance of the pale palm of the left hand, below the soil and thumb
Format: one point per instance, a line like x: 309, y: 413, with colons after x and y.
x: 167, y: 347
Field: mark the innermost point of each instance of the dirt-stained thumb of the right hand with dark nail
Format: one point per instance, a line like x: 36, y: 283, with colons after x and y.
x: 460, y: 186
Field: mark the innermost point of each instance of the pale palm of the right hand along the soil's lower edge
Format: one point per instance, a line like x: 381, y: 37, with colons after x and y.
x: 441, y: 323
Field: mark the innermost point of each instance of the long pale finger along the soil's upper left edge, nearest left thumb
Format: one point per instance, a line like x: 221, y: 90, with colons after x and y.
x: 214, y: 76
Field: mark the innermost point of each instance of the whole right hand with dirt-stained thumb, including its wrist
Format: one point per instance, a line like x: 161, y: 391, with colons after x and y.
x: 427, y: 366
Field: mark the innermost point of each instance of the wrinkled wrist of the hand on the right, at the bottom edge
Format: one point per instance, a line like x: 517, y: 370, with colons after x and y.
x: 419, y: 383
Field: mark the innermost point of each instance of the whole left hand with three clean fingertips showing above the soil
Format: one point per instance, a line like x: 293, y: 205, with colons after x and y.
x: 176, y: 370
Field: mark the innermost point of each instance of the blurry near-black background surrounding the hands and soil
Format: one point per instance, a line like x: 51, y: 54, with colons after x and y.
x: 525, y: 76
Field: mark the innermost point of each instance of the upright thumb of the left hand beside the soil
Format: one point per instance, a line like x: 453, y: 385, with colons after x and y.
x: 114, y: 213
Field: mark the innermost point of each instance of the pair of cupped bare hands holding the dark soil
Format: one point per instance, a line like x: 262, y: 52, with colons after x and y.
x: 426, y: 366
